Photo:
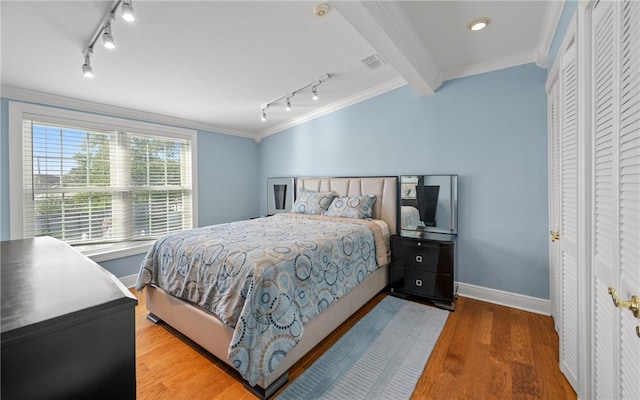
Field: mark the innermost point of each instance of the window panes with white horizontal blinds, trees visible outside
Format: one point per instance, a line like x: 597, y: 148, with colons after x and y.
x: 104, y: 187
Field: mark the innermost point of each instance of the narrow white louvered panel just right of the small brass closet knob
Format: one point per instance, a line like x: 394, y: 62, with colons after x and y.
x: 568, y: 202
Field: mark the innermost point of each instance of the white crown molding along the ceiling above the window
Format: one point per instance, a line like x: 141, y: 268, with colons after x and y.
x: 33, y: 96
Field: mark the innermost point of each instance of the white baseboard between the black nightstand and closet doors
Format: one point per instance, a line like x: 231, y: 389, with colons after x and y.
x: 509, y: 299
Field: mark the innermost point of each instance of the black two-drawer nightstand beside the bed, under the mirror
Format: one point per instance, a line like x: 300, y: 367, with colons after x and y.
x: 424, y: 267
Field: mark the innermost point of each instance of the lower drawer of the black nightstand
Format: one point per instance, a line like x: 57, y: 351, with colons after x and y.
x: 421, y: 283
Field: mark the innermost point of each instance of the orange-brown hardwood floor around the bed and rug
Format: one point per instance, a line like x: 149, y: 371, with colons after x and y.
x: 485, y: 351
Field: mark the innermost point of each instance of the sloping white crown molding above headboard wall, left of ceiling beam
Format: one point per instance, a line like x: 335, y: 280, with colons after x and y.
x: 338, y: 105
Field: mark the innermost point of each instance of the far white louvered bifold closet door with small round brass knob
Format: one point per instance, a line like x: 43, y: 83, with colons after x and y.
x: 564, y: 207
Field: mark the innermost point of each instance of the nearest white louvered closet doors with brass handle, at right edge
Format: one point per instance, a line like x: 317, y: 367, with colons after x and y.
x: 616, y: 196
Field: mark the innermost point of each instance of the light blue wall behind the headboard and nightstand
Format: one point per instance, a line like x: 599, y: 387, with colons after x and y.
x: 490, y: 129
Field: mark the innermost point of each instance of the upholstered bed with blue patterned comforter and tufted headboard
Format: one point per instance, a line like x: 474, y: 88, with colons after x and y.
x: 259, y: 329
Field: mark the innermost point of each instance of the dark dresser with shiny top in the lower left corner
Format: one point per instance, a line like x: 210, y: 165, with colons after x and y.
x: 68, y: 325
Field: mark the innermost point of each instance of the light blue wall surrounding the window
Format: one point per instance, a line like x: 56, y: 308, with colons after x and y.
x: 227, y: 184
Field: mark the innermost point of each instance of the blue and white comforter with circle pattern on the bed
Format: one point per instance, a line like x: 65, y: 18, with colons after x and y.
x: 266, y: 277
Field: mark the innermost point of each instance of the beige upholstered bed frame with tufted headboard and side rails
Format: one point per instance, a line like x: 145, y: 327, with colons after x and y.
x: 207, y: 331
